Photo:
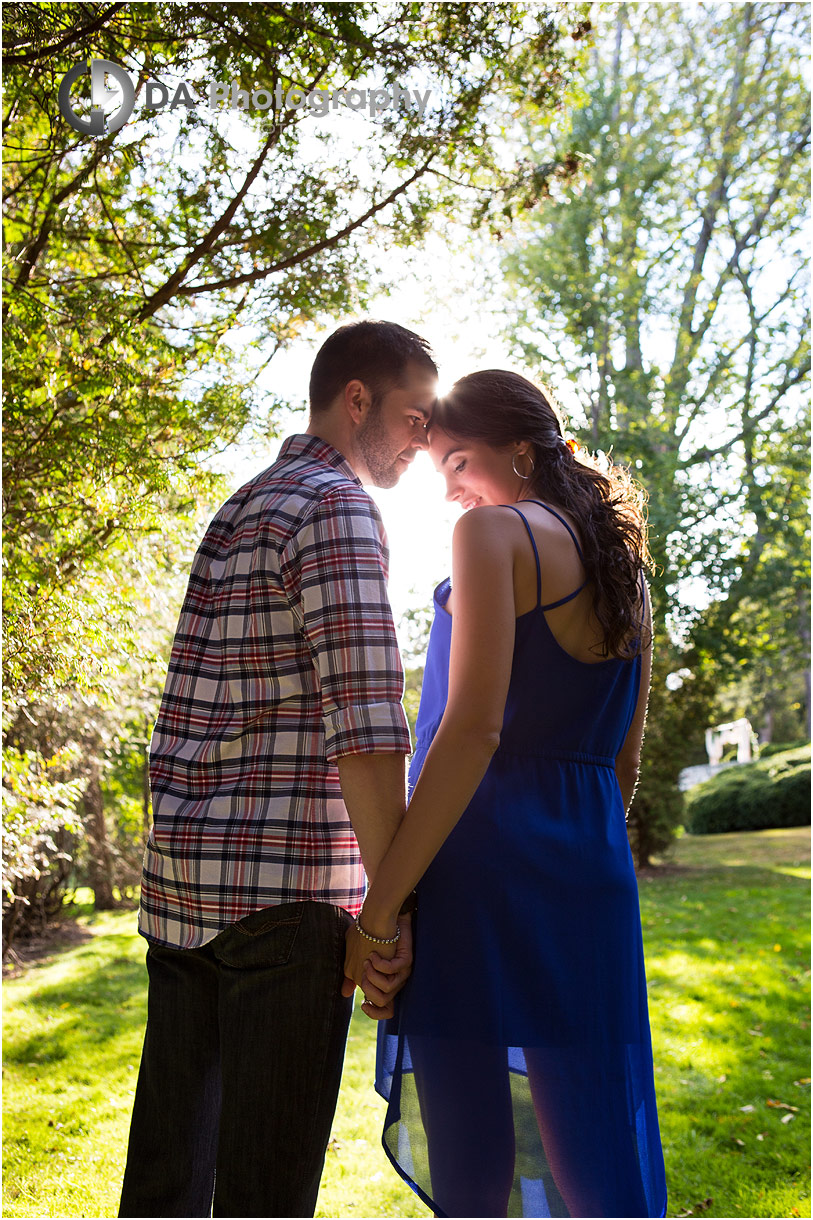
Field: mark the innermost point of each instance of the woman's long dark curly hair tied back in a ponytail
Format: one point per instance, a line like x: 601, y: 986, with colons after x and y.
x: 502, y: 408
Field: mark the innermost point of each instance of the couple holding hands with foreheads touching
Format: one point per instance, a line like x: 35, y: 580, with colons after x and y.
x: 517, y: 1061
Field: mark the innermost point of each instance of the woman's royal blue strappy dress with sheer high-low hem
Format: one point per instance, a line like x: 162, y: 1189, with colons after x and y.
x: 518, y: 1067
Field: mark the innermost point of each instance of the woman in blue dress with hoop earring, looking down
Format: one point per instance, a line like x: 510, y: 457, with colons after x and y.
x: 519, y: 1066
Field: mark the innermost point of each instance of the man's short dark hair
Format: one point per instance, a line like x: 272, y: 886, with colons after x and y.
x: 374, y: 353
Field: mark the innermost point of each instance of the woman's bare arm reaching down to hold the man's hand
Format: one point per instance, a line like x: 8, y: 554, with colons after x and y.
x: 480, y: 667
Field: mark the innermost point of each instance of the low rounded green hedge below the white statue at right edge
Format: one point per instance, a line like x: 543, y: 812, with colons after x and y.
x: 754, y: 796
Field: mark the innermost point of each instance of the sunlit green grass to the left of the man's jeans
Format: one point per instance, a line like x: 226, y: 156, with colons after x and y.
x: 74, y: 1029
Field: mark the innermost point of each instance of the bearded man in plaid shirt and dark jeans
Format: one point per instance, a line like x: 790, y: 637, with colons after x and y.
x: 276, y: 768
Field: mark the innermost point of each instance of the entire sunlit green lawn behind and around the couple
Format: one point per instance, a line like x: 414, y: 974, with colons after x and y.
x: 727, y: 933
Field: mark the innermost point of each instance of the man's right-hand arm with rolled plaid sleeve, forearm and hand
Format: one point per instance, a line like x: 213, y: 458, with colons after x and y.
x: 336, y: 575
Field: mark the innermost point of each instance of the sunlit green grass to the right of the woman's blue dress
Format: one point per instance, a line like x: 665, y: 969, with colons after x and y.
x: 727, y: 939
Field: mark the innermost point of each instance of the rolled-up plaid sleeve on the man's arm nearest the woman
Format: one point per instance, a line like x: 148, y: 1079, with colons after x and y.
x: 335, y: 570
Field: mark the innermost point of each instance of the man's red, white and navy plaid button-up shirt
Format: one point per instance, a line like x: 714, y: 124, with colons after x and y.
x: 285, y: 659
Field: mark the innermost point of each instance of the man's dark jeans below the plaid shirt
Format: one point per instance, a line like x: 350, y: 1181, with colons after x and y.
x: 241, y: 1069
